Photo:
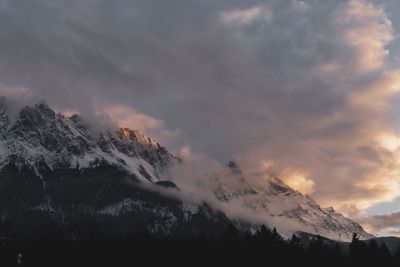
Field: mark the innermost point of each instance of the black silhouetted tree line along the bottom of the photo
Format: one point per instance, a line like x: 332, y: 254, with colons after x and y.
x: 265, y: 247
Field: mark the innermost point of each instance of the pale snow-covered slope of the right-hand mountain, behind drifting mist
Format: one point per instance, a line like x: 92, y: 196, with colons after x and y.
x: 272, y: 202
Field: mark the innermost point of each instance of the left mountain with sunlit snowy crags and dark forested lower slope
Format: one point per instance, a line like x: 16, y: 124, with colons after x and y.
x: 62, y: 179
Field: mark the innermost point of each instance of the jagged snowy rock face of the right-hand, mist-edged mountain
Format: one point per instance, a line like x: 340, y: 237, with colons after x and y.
x: 277, y: 202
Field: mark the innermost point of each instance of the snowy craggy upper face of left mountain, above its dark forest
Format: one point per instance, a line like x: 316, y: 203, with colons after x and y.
x: 39, y: 135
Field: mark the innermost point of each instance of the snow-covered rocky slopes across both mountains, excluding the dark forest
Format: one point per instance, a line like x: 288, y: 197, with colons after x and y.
x: 44, y: 141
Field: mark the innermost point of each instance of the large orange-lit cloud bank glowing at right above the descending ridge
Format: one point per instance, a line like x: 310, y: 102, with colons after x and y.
x: 349, y: 155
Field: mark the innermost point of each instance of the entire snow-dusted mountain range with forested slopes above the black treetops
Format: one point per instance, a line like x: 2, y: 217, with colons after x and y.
x: 63, y: 178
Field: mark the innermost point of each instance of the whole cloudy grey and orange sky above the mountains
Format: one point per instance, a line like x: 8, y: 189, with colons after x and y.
x: 306, y: 90
